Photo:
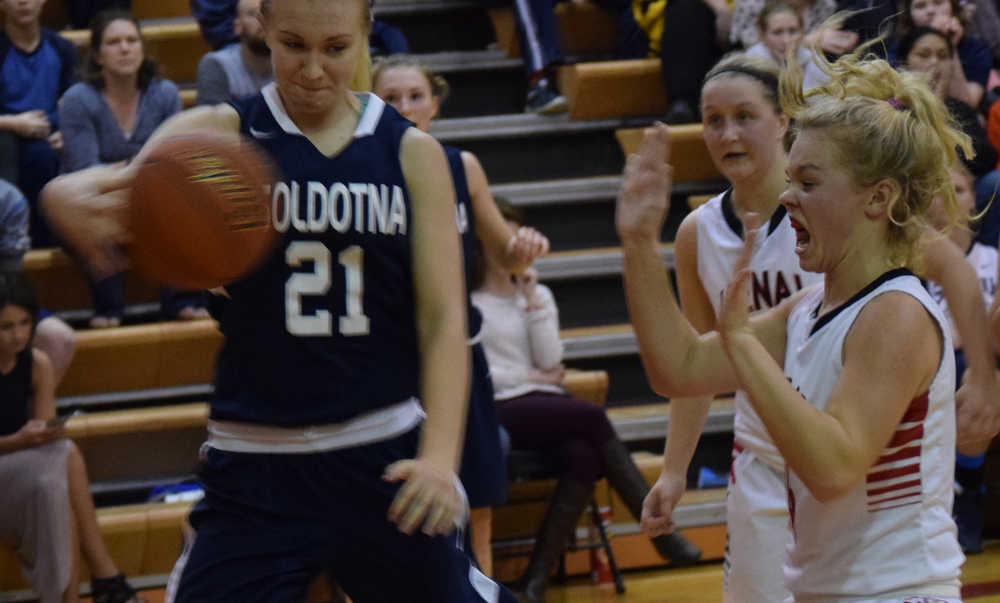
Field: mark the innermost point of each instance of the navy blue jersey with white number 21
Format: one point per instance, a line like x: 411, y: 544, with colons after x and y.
x: 326, y: 328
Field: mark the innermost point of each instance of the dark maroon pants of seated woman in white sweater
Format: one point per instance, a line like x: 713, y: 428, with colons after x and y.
x: 571, y: 431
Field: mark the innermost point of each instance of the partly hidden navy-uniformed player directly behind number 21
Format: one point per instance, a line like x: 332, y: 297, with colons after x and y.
x: 417, y: 93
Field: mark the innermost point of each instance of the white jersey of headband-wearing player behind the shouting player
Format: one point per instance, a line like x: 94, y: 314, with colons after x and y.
x: 776, y: 275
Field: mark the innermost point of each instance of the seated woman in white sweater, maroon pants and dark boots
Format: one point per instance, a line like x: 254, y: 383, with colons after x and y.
x: 521, y: 339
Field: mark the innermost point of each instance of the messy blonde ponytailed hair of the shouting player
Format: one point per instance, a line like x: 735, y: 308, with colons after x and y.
x: 884, y: 124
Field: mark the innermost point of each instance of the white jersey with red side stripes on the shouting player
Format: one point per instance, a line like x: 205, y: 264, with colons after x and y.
x: 892, y: 533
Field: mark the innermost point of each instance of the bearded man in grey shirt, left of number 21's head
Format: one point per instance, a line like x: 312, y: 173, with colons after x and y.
x: 237, y: 70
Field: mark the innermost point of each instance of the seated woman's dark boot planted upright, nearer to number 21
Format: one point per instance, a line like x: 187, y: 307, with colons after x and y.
x: 568, y: 502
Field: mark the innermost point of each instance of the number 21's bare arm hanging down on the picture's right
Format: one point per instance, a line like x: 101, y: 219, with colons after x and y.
x: 432, y: 498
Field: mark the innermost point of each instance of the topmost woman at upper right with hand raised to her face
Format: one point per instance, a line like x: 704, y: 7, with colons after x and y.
x: 971, y: 55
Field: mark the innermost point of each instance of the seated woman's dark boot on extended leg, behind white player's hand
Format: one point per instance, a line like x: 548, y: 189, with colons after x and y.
x: 629, y: 483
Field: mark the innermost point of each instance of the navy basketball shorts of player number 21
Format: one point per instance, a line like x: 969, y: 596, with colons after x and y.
x: 271, y: 523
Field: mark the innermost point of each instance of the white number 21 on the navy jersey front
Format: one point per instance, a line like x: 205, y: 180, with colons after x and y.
x: 317, y: 282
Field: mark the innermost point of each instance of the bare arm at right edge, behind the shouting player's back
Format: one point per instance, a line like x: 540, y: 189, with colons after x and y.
x: 977, y: 410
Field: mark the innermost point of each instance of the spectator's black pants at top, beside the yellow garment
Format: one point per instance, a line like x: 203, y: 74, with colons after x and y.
x: 688, y: 49
